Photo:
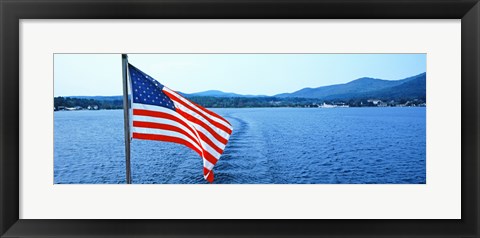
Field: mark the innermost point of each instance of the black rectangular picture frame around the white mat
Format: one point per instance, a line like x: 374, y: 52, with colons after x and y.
x: 12, y: 11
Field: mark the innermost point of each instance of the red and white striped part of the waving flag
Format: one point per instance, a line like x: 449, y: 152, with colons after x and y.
x: 201, y: 130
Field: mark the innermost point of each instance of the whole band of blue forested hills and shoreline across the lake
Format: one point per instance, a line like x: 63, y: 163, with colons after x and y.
x: 359, y: 92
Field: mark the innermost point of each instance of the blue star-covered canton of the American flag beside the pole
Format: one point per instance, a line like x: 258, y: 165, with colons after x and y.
x: 147, y: 90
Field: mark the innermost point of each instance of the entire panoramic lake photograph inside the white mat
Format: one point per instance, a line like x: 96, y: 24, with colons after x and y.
x: 245, y: 118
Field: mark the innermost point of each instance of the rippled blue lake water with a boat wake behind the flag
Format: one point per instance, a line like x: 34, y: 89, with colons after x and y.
x: 268, y: 146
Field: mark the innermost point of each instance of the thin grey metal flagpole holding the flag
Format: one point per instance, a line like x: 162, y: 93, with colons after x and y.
x: 125, y: 118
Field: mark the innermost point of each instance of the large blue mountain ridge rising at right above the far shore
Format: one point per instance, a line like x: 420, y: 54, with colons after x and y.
x: 412, y: 87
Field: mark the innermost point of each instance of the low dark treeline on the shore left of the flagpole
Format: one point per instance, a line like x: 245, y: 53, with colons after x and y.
x: 70, y: 102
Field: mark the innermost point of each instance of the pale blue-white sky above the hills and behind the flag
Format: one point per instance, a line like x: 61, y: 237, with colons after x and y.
x: 257, y: 74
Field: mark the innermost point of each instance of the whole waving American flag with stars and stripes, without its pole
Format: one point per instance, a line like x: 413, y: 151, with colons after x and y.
x: 159, y: 113
